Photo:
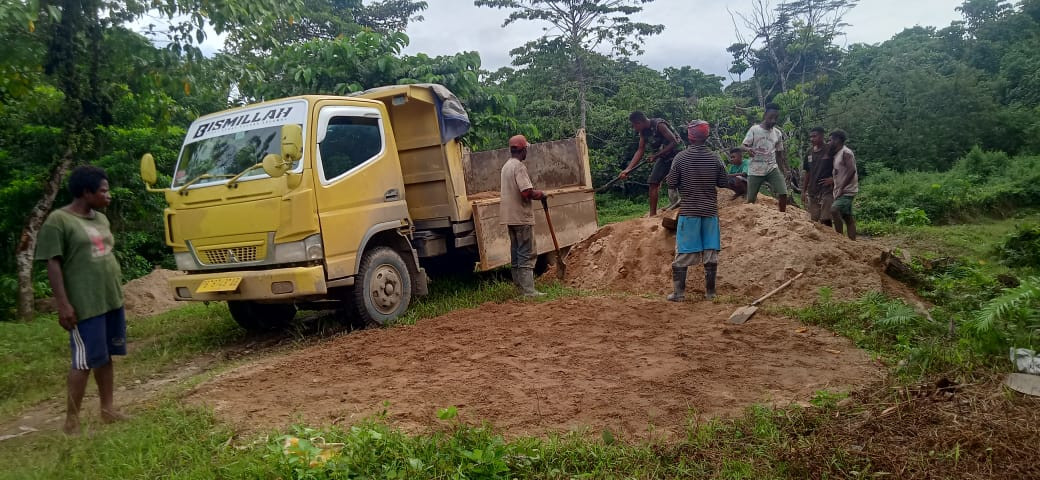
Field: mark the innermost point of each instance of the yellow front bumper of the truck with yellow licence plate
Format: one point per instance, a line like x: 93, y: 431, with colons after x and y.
x: 280, y: 284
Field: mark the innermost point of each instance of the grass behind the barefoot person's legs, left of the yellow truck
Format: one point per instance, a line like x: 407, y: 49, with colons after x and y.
x: 36, y: 355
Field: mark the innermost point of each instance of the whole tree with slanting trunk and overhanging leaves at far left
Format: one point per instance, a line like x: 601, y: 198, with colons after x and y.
x: 74, y: 31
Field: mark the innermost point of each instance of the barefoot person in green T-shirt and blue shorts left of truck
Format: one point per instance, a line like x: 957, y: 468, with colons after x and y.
x: 77, y: 245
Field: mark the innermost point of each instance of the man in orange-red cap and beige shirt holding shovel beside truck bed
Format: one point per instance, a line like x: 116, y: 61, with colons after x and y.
x: 516, y: 212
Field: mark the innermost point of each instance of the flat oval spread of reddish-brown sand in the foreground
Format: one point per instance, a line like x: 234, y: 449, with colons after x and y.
x: 617, y: 363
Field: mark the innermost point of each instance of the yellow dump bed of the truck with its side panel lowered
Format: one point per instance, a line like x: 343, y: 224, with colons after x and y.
x: 449, y: 189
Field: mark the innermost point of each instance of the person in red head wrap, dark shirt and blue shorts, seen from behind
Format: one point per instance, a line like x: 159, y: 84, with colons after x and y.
x: 695, y: 174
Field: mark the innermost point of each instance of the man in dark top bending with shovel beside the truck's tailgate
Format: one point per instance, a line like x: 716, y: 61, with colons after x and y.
x: 657, y: 135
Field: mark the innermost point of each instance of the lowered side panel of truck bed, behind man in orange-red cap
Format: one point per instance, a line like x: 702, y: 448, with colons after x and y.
x: 574, y: 214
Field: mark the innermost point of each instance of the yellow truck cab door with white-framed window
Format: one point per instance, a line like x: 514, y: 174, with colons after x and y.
x: 360, y: 182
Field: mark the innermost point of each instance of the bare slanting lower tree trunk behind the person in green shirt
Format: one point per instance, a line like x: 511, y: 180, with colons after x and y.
x: 28, y: 245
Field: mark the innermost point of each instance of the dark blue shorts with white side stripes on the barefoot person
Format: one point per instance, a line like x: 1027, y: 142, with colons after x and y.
x: 96, y: 339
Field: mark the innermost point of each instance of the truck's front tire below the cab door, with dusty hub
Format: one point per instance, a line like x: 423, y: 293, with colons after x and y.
x: 383, y: 290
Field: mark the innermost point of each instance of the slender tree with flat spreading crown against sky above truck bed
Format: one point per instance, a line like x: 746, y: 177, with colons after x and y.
x: 583, y: 26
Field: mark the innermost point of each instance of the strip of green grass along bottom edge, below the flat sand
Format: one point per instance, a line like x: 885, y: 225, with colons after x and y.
x: 169, y: 441
